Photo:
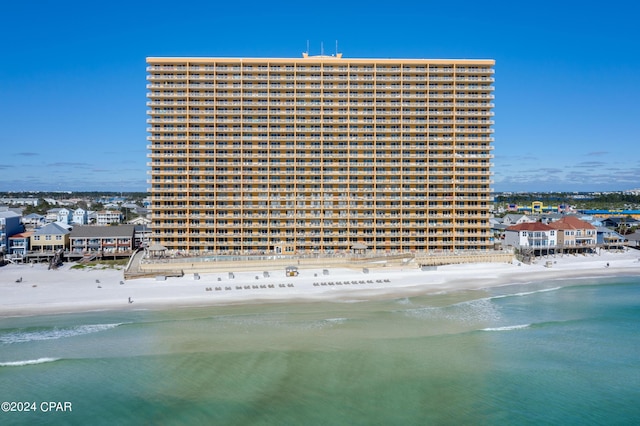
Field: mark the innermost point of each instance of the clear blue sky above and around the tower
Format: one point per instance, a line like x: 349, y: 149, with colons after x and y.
x: 72, y: 78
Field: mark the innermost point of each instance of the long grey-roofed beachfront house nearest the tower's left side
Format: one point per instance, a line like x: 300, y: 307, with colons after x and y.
x: 102, y: 239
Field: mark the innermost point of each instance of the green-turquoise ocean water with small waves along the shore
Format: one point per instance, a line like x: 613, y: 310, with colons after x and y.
x: 559, y: 352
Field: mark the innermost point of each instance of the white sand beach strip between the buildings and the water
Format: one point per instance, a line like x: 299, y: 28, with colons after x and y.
x: 35, y: 290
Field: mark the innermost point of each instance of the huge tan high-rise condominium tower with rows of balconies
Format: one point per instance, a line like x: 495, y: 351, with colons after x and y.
x: 320, y: 154
